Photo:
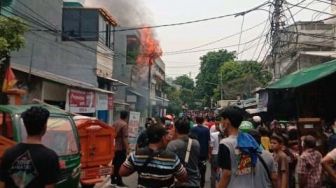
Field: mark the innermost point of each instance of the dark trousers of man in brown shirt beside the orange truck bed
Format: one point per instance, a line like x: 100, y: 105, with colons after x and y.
x: 119, y: 158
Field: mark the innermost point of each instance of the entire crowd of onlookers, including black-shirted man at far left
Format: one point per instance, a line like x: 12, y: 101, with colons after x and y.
x: 174, y: 152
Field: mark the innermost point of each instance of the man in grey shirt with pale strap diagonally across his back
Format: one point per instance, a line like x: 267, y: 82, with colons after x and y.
x: 188, y: 150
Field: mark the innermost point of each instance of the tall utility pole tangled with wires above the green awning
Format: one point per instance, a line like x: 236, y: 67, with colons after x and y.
x: 275, y: 36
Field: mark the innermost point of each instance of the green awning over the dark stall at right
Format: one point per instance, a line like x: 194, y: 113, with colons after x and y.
x: 305, y: 76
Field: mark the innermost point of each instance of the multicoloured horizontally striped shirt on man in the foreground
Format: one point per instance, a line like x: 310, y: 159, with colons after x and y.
x: 159, y: 172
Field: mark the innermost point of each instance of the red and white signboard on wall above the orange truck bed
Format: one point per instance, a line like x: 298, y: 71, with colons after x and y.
x: 81, y: 101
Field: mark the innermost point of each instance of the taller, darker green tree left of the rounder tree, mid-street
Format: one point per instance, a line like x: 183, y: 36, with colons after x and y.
x: 207, y: 79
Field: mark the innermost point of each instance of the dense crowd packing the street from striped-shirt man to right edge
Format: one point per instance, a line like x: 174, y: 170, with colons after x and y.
x: 242, y: 152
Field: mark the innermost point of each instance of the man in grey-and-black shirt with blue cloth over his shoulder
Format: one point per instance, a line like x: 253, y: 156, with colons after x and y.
x: 240, y: 157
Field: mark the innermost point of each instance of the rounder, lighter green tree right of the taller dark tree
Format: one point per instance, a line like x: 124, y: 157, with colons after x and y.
x: 240, y: 78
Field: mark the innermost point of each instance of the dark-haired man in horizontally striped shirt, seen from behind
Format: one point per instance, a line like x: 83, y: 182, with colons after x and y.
x: 156, y: 167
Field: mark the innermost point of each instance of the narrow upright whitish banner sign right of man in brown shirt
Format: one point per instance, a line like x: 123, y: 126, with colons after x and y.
x: 133, y: 128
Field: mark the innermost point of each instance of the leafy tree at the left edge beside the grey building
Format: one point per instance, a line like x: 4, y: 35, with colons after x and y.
x: 11, y: 38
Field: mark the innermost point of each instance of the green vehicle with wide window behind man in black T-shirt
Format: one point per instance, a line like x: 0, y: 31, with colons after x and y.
x: 61, y: 136
